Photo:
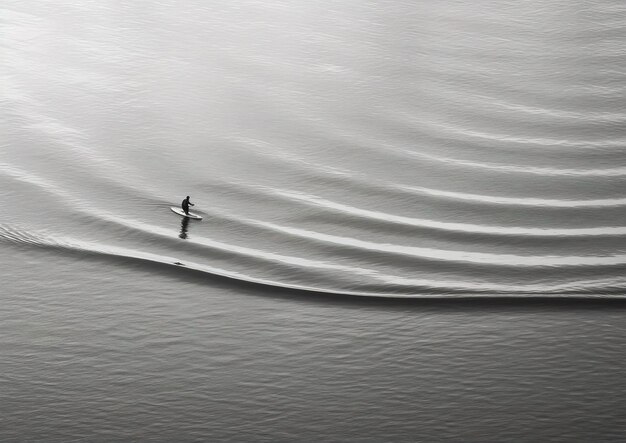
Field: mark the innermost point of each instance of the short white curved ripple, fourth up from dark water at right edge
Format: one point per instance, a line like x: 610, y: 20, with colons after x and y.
x: 516, y: 201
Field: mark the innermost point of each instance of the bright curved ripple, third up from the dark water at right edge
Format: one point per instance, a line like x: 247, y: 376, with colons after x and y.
x: 451, y: 226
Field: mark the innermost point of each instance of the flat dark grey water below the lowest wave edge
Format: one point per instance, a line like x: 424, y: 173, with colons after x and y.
x: 167, y: 357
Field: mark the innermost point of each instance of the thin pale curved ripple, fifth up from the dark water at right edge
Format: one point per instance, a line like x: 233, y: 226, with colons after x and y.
x: 609, y: 172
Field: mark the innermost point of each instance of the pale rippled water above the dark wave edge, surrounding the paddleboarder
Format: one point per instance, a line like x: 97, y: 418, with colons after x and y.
x: 397, y: 150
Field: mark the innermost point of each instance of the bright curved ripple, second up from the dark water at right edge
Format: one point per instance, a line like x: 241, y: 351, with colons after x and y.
x: 454, y: 256
